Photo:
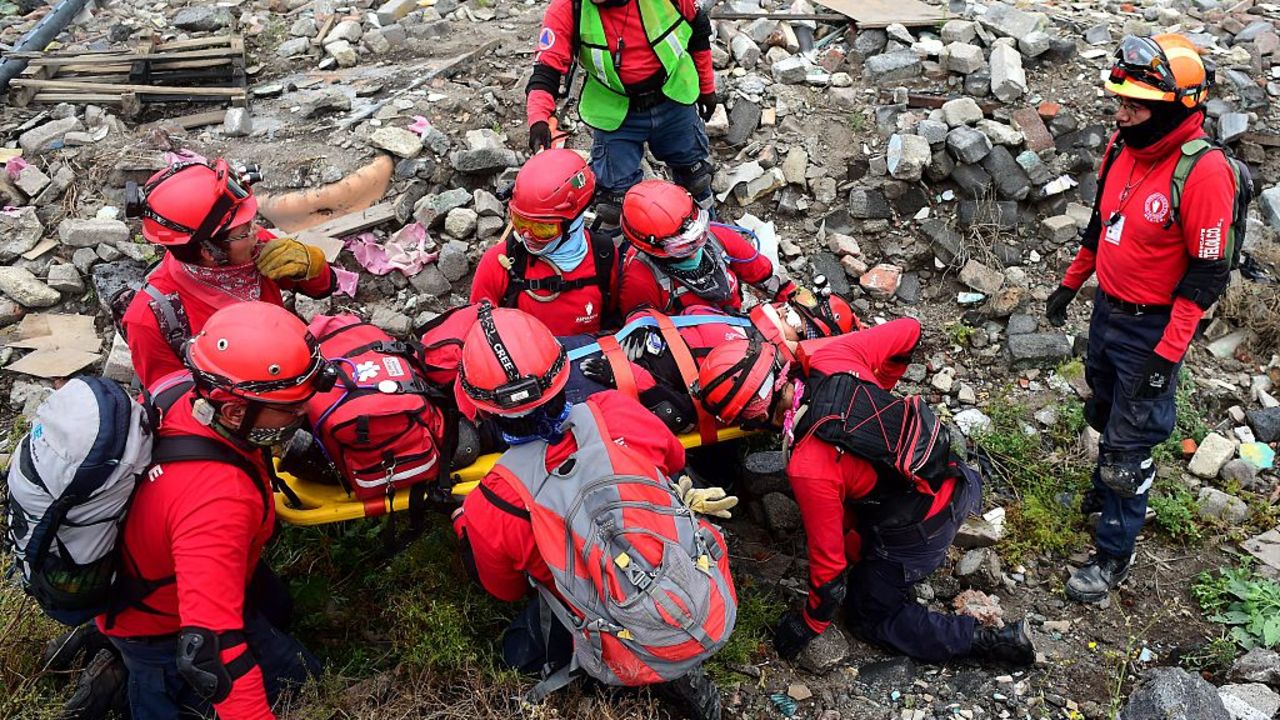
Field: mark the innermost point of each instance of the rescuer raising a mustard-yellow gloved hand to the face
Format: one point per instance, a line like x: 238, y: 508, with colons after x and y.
x: 203, y: 216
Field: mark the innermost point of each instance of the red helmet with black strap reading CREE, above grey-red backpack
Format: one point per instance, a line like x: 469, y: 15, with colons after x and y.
x: 511, y: 363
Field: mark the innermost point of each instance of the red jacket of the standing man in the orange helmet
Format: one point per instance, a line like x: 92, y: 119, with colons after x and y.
x: 1141, y: 262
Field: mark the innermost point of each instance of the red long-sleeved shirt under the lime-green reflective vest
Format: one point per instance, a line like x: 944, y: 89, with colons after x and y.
x: 639, y: 62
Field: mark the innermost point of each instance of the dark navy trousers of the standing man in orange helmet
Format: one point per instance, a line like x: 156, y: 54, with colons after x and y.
x: 1119, y: 347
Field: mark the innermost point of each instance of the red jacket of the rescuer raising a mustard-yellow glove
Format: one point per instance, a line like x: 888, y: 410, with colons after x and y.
x: 153, y: 358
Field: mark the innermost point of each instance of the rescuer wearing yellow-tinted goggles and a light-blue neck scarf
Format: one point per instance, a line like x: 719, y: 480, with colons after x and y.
x: 552, y: 267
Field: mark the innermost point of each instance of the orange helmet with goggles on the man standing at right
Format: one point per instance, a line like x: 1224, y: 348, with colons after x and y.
x: 1165, y: 69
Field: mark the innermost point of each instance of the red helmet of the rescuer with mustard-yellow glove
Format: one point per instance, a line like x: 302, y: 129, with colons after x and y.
x: 195, y: 202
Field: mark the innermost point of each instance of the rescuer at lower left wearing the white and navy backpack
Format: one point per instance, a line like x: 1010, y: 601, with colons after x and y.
x: 193, y: 637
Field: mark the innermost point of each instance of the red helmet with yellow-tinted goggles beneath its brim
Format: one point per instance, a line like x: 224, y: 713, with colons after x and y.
x: 552, y: 190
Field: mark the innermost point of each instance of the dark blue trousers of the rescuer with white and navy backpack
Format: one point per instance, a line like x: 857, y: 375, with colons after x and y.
x: 159, y: 692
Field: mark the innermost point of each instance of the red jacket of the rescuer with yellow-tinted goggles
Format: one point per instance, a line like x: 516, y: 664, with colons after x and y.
x: 574, y: 312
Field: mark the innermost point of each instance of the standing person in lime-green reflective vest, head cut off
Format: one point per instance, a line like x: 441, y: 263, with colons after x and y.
x: 647, y: 65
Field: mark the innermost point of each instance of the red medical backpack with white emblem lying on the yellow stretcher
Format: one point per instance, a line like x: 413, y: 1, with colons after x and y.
x: 380, y: 425
